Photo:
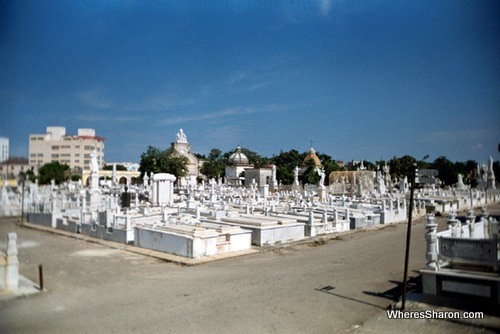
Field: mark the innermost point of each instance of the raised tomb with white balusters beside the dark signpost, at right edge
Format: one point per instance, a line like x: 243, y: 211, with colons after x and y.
x: 463, y: 260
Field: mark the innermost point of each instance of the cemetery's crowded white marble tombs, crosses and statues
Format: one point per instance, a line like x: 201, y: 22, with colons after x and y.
x: 198, y: 220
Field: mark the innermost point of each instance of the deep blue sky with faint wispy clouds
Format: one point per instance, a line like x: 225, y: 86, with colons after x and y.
x: 359, y: 79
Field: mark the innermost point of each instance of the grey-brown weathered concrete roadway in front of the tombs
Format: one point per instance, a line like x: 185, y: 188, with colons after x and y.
x: 324, y: 286
